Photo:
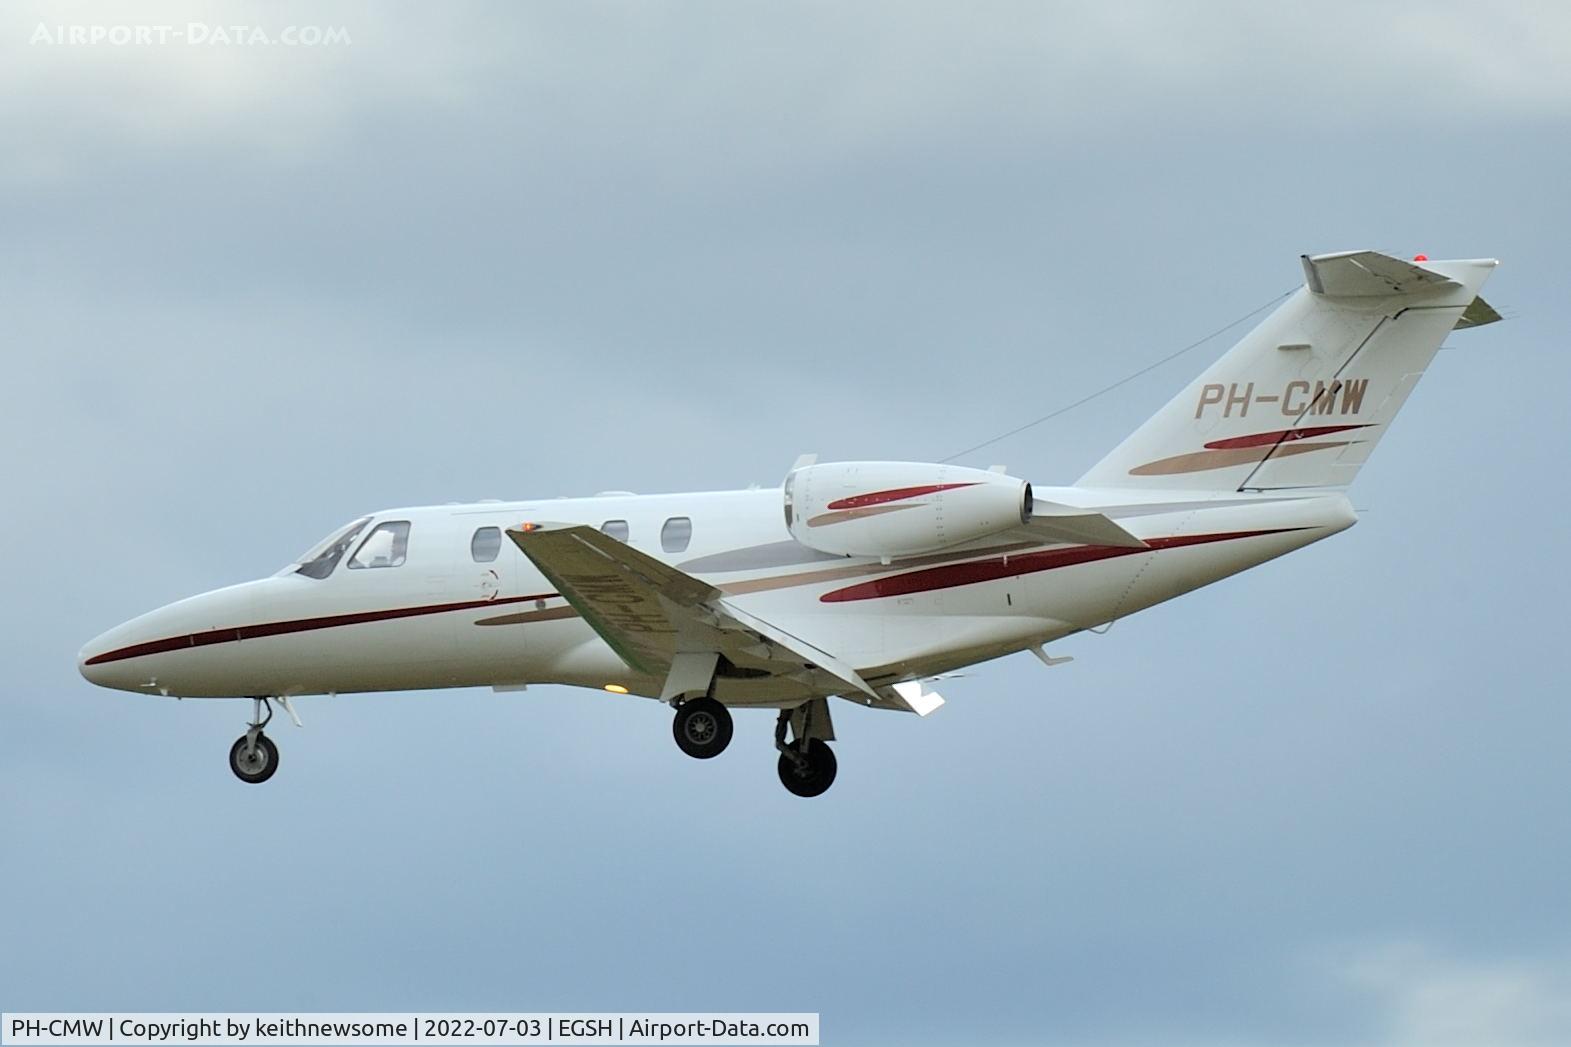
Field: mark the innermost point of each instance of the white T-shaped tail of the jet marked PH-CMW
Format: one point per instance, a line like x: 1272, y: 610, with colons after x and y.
x: 1305, y: 399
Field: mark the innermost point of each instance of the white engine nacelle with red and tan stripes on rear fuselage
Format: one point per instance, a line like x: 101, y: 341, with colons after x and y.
x: 899, y: 509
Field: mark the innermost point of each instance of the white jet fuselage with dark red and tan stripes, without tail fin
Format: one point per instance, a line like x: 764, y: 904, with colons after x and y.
x: 450, y: 617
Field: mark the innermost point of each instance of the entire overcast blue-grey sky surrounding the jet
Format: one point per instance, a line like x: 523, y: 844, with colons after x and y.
x: 527, y: 251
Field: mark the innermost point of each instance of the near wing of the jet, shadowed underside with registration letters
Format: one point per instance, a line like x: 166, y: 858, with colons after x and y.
x: 672, y: 626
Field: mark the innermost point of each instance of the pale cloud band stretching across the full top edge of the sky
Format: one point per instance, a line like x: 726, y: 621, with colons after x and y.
x: 778, y: 79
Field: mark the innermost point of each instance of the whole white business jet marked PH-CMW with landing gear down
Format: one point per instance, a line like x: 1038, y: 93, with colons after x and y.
x: 859, y: 581
